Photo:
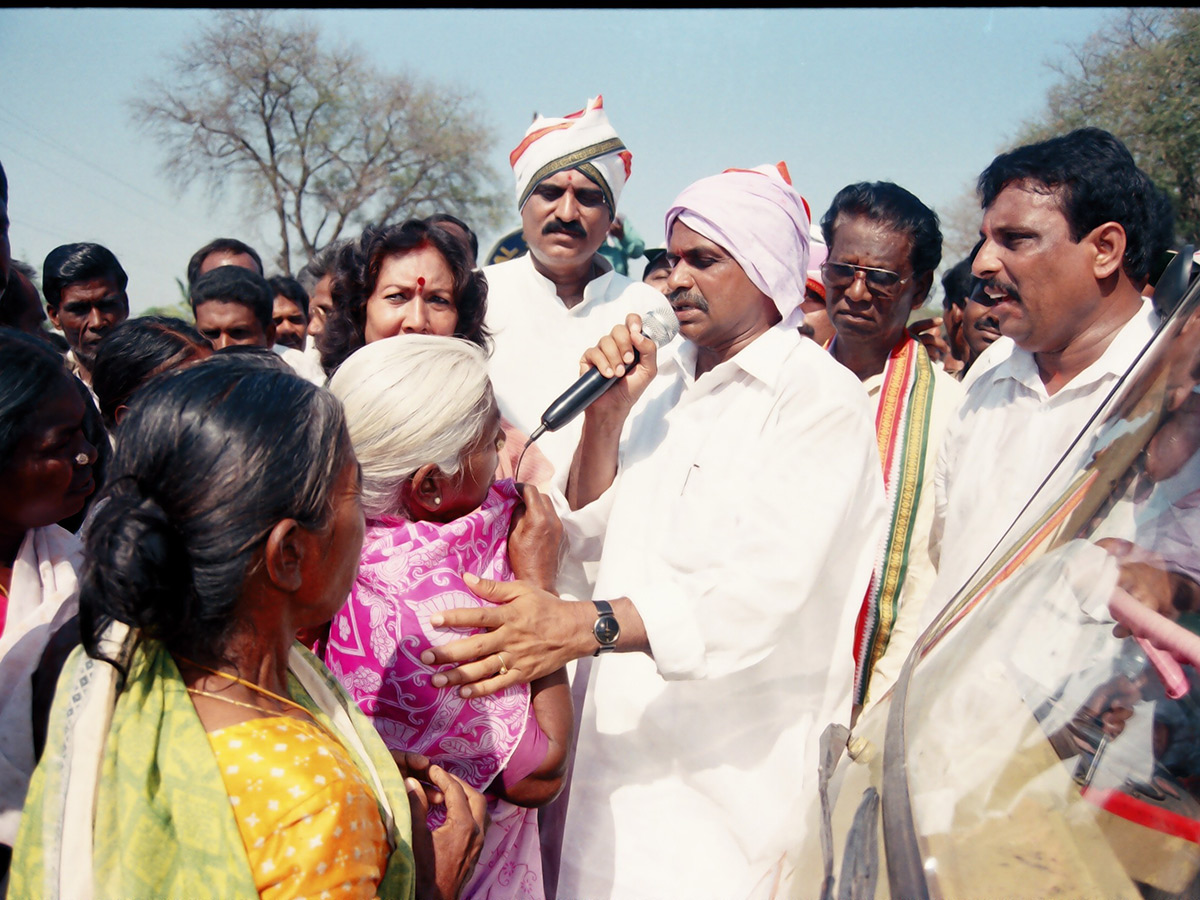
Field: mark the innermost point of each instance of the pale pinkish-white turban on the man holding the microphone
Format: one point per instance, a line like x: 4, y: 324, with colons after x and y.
x: 765, y: 225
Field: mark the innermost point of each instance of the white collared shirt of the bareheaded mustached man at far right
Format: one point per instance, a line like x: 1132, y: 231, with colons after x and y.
x: 1006, y: 439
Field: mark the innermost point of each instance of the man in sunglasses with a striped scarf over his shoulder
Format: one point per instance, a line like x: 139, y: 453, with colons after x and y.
x: 885, y: 245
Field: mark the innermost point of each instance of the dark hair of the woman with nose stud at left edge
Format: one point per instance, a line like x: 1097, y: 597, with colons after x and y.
x: 28, y: 369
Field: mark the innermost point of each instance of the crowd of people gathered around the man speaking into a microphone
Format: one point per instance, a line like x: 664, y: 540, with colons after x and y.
x: 291, y: 604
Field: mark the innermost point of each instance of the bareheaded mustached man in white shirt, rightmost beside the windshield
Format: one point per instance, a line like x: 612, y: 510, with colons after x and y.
x: 1071, y: 231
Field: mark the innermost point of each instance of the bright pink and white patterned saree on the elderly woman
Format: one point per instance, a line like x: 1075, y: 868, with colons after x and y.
x: 409, y: 573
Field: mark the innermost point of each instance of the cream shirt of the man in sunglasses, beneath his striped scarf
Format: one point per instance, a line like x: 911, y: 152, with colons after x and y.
x: 921, y: 573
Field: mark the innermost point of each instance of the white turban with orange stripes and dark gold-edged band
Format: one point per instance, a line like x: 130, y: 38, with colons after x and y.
x: 584, y: 141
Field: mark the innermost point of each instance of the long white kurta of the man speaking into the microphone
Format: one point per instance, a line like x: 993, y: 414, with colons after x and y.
x: 743, y: 525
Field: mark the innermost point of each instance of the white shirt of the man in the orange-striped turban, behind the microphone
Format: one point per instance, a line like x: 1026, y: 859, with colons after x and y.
x: 538, y: 343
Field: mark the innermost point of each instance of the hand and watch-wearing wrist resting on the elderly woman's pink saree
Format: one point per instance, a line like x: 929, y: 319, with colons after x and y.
x: 538, y: 633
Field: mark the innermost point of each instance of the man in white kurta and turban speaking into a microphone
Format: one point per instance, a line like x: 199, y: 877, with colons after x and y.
x: 729, y: 578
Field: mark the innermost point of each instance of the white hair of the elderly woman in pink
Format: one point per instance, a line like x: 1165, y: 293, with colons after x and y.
x: 412, y: 400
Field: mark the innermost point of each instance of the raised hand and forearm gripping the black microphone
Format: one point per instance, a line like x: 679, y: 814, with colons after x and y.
x: 595, y: 465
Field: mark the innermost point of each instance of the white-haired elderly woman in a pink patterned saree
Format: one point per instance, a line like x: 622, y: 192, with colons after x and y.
x: 427, y: 430
